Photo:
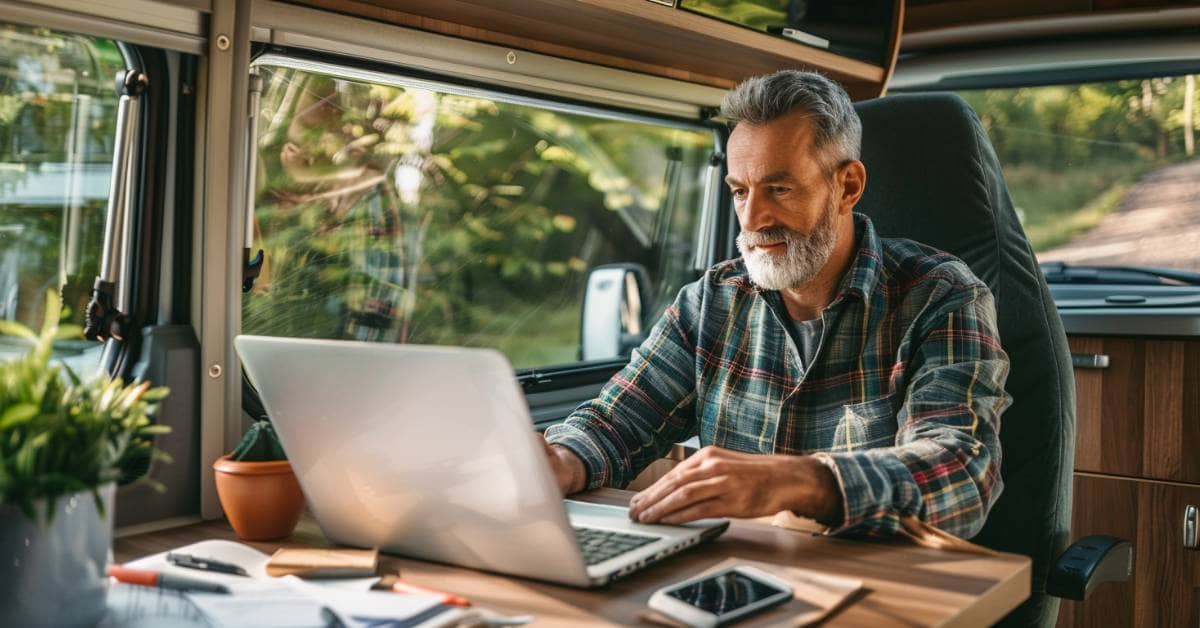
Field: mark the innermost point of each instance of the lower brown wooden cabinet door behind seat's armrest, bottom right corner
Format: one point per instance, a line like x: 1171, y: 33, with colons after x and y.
x: 1166, y: 587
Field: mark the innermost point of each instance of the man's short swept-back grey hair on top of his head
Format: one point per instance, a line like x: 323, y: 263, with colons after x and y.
x: 837, y: 130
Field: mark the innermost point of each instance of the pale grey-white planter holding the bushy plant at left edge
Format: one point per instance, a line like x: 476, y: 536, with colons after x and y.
x: 55, y: 576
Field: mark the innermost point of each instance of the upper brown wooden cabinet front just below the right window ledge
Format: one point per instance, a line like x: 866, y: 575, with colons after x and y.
x: 1141, y: 416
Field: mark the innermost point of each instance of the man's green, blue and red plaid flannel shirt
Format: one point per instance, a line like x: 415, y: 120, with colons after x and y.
x: 903, y: 402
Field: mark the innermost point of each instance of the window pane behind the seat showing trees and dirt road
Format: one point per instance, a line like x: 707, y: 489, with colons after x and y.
x: 1102, y: 174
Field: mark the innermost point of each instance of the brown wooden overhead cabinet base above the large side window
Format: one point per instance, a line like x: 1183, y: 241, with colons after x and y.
x: 628, y: 34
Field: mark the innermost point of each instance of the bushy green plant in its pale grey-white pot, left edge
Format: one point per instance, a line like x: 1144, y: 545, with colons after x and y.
x: 64, y: 446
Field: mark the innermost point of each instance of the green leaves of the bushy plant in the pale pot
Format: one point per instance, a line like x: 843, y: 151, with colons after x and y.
x: 63, y: 435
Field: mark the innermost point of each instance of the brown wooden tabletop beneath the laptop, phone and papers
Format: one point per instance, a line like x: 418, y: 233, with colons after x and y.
x: 904, y: 585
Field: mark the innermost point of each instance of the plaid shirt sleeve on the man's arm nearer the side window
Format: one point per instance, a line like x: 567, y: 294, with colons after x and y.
x: 645, y: 409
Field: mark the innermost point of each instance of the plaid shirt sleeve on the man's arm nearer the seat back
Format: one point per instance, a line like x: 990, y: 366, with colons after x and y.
x: 945, y: 466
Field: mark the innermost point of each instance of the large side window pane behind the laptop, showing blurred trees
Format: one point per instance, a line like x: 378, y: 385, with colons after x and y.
x: 407, y: 212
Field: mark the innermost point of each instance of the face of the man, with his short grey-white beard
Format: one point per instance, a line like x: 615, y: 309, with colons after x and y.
x: 787, y: 202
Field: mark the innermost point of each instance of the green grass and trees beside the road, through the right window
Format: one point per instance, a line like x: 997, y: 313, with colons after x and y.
x: 1070, y: 152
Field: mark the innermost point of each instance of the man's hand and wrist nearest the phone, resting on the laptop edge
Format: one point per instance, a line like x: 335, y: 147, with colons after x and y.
x: 718, y: 482
